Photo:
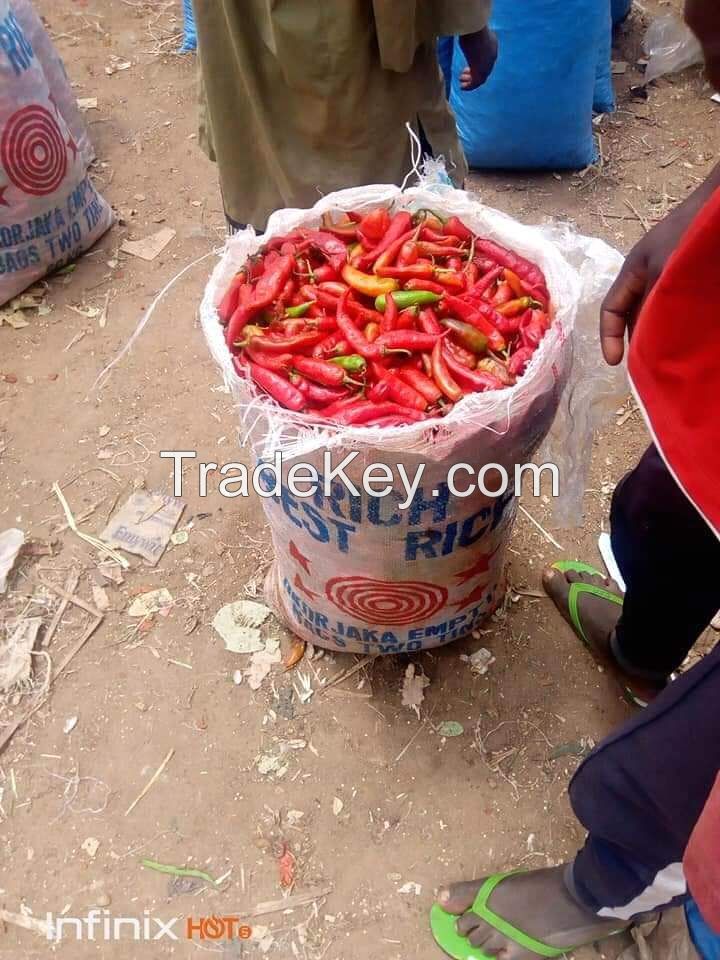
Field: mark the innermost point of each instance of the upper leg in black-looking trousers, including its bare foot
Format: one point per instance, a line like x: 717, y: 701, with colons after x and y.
x: 656, y: 532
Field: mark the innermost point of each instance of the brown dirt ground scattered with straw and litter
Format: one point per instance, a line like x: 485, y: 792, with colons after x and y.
x: 415, y: 808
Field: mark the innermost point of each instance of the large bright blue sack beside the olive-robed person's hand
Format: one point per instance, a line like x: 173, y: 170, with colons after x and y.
x: 535, y: 111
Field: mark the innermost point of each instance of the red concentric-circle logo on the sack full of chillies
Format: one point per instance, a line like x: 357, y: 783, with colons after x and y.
x: 386, y: 602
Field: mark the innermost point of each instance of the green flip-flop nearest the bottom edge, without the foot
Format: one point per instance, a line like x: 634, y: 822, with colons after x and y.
x: 444, y: 929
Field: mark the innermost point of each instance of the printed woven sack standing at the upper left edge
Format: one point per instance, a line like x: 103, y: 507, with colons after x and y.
x: 50, y: 212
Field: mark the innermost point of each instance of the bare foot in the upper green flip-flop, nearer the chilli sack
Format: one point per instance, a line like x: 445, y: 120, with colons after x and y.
x: 599, y: 618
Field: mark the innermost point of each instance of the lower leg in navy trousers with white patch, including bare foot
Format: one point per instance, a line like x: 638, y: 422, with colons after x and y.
x: 639, y: 795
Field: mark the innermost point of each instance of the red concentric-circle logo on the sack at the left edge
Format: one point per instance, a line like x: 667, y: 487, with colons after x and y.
x: 33, y: 151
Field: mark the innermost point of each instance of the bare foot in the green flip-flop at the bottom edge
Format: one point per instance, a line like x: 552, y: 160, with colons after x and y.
x: 536, y: 902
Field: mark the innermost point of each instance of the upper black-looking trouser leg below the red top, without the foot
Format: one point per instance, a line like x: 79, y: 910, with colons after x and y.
x: 657, y: 533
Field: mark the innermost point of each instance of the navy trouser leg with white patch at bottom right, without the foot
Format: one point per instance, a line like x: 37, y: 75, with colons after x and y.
x: 641, y: 792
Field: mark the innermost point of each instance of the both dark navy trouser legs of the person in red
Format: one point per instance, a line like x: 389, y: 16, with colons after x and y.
x: 640, y: 793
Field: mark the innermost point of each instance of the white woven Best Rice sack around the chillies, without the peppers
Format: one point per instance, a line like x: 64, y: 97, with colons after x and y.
x: 382, y: 575
